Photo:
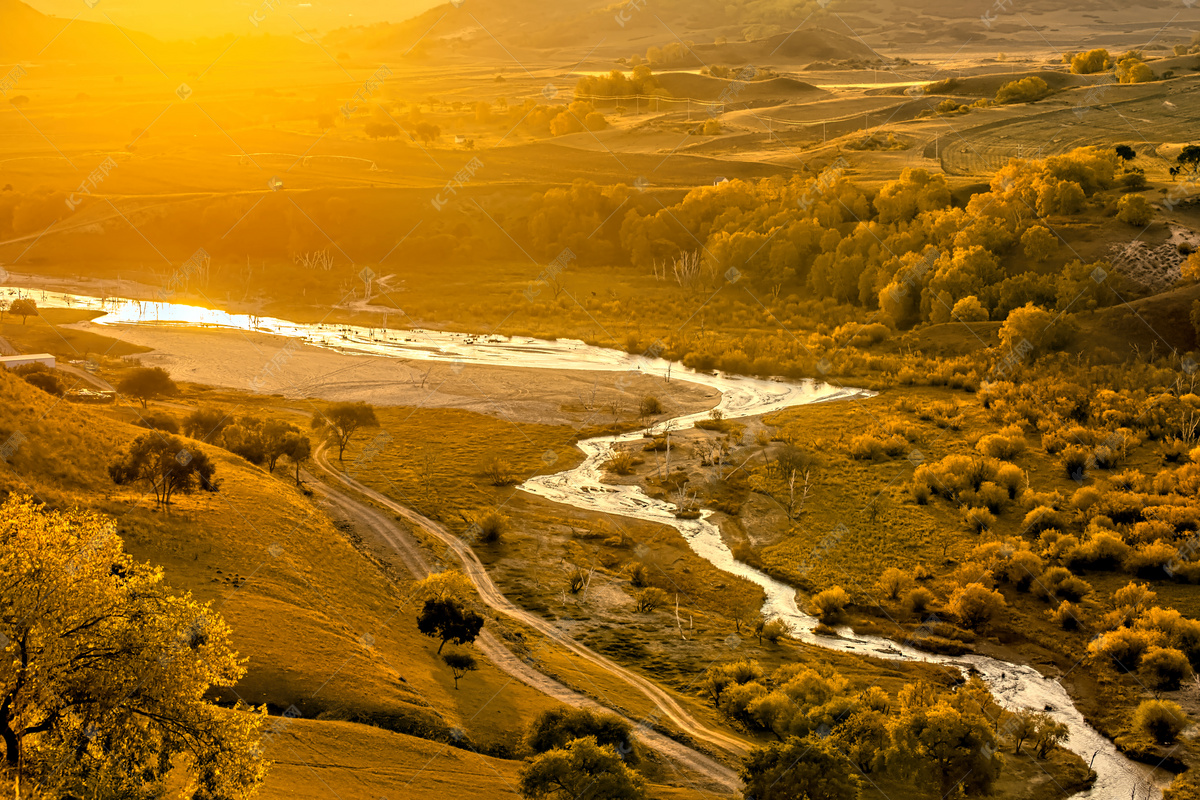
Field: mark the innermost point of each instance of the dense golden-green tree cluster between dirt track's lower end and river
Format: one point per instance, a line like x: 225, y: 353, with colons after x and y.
x: 923, y: 735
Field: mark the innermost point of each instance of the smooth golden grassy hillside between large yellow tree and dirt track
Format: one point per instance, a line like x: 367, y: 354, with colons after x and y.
x: 321, y: 627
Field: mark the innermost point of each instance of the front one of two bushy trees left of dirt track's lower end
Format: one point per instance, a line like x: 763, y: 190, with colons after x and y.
x: 583, y: 771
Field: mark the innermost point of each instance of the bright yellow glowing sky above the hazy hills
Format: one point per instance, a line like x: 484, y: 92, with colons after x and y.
x: 195, y: 19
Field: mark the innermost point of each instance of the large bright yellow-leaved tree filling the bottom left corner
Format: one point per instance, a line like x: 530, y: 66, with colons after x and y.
x: 105, y: 678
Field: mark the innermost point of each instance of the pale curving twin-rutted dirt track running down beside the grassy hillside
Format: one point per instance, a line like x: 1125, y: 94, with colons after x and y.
x: 505, y: 659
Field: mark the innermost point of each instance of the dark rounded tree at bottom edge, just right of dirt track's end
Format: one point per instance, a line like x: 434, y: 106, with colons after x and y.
x: 800, y: 768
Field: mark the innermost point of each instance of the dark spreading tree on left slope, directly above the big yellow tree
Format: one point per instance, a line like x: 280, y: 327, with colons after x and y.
x: 167, y: 465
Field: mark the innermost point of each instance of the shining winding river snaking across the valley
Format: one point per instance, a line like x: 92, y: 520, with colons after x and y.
x: 1013, y: 685
